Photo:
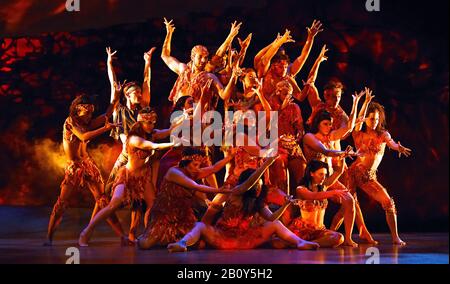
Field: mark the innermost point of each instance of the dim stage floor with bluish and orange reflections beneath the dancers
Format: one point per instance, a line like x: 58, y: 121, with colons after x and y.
x: 22, y: 233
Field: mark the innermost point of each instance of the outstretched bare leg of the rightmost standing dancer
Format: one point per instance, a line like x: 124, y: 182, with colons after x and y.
x: 376, y: 191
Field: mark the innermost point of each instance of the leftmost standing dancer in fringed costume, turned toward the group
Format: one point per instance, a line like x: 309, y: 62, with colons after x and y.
x: 81, y: 171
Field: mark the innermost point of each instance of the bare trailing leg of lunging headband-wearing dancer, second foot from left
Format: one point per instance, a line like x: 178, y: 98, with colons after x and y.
x: 103, y: 214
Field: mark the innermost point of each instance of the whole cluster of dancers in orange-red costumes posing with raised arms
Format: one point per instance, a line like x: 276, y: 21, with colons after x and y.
x: 278, y: 199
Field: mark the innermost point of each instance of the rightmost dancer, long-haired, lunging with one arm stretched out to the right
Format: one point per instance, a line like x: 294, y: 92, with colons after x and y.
x: 371, y: 142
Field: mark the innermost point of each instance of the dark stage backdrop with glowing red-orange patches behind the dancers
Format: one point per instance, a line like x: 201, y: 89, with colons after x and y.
x: 48, y: 55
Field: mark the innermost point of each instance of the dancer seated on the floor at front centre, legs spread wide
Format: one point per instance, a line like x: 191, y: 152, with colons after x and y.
x: 246, y: 222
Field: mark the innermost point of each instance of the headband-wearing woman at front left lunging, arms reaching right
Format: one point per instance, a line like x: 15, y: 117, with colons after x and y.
x: 133, y: 182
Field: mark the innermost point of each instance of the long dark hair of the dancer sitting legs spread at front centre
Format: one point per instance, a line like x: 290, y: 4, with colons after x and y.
x: 252, y: 203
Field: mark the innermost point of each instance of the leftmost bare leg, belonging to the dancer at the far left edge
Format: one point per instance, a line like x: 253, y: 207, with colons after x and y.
x: 58, y: 211
